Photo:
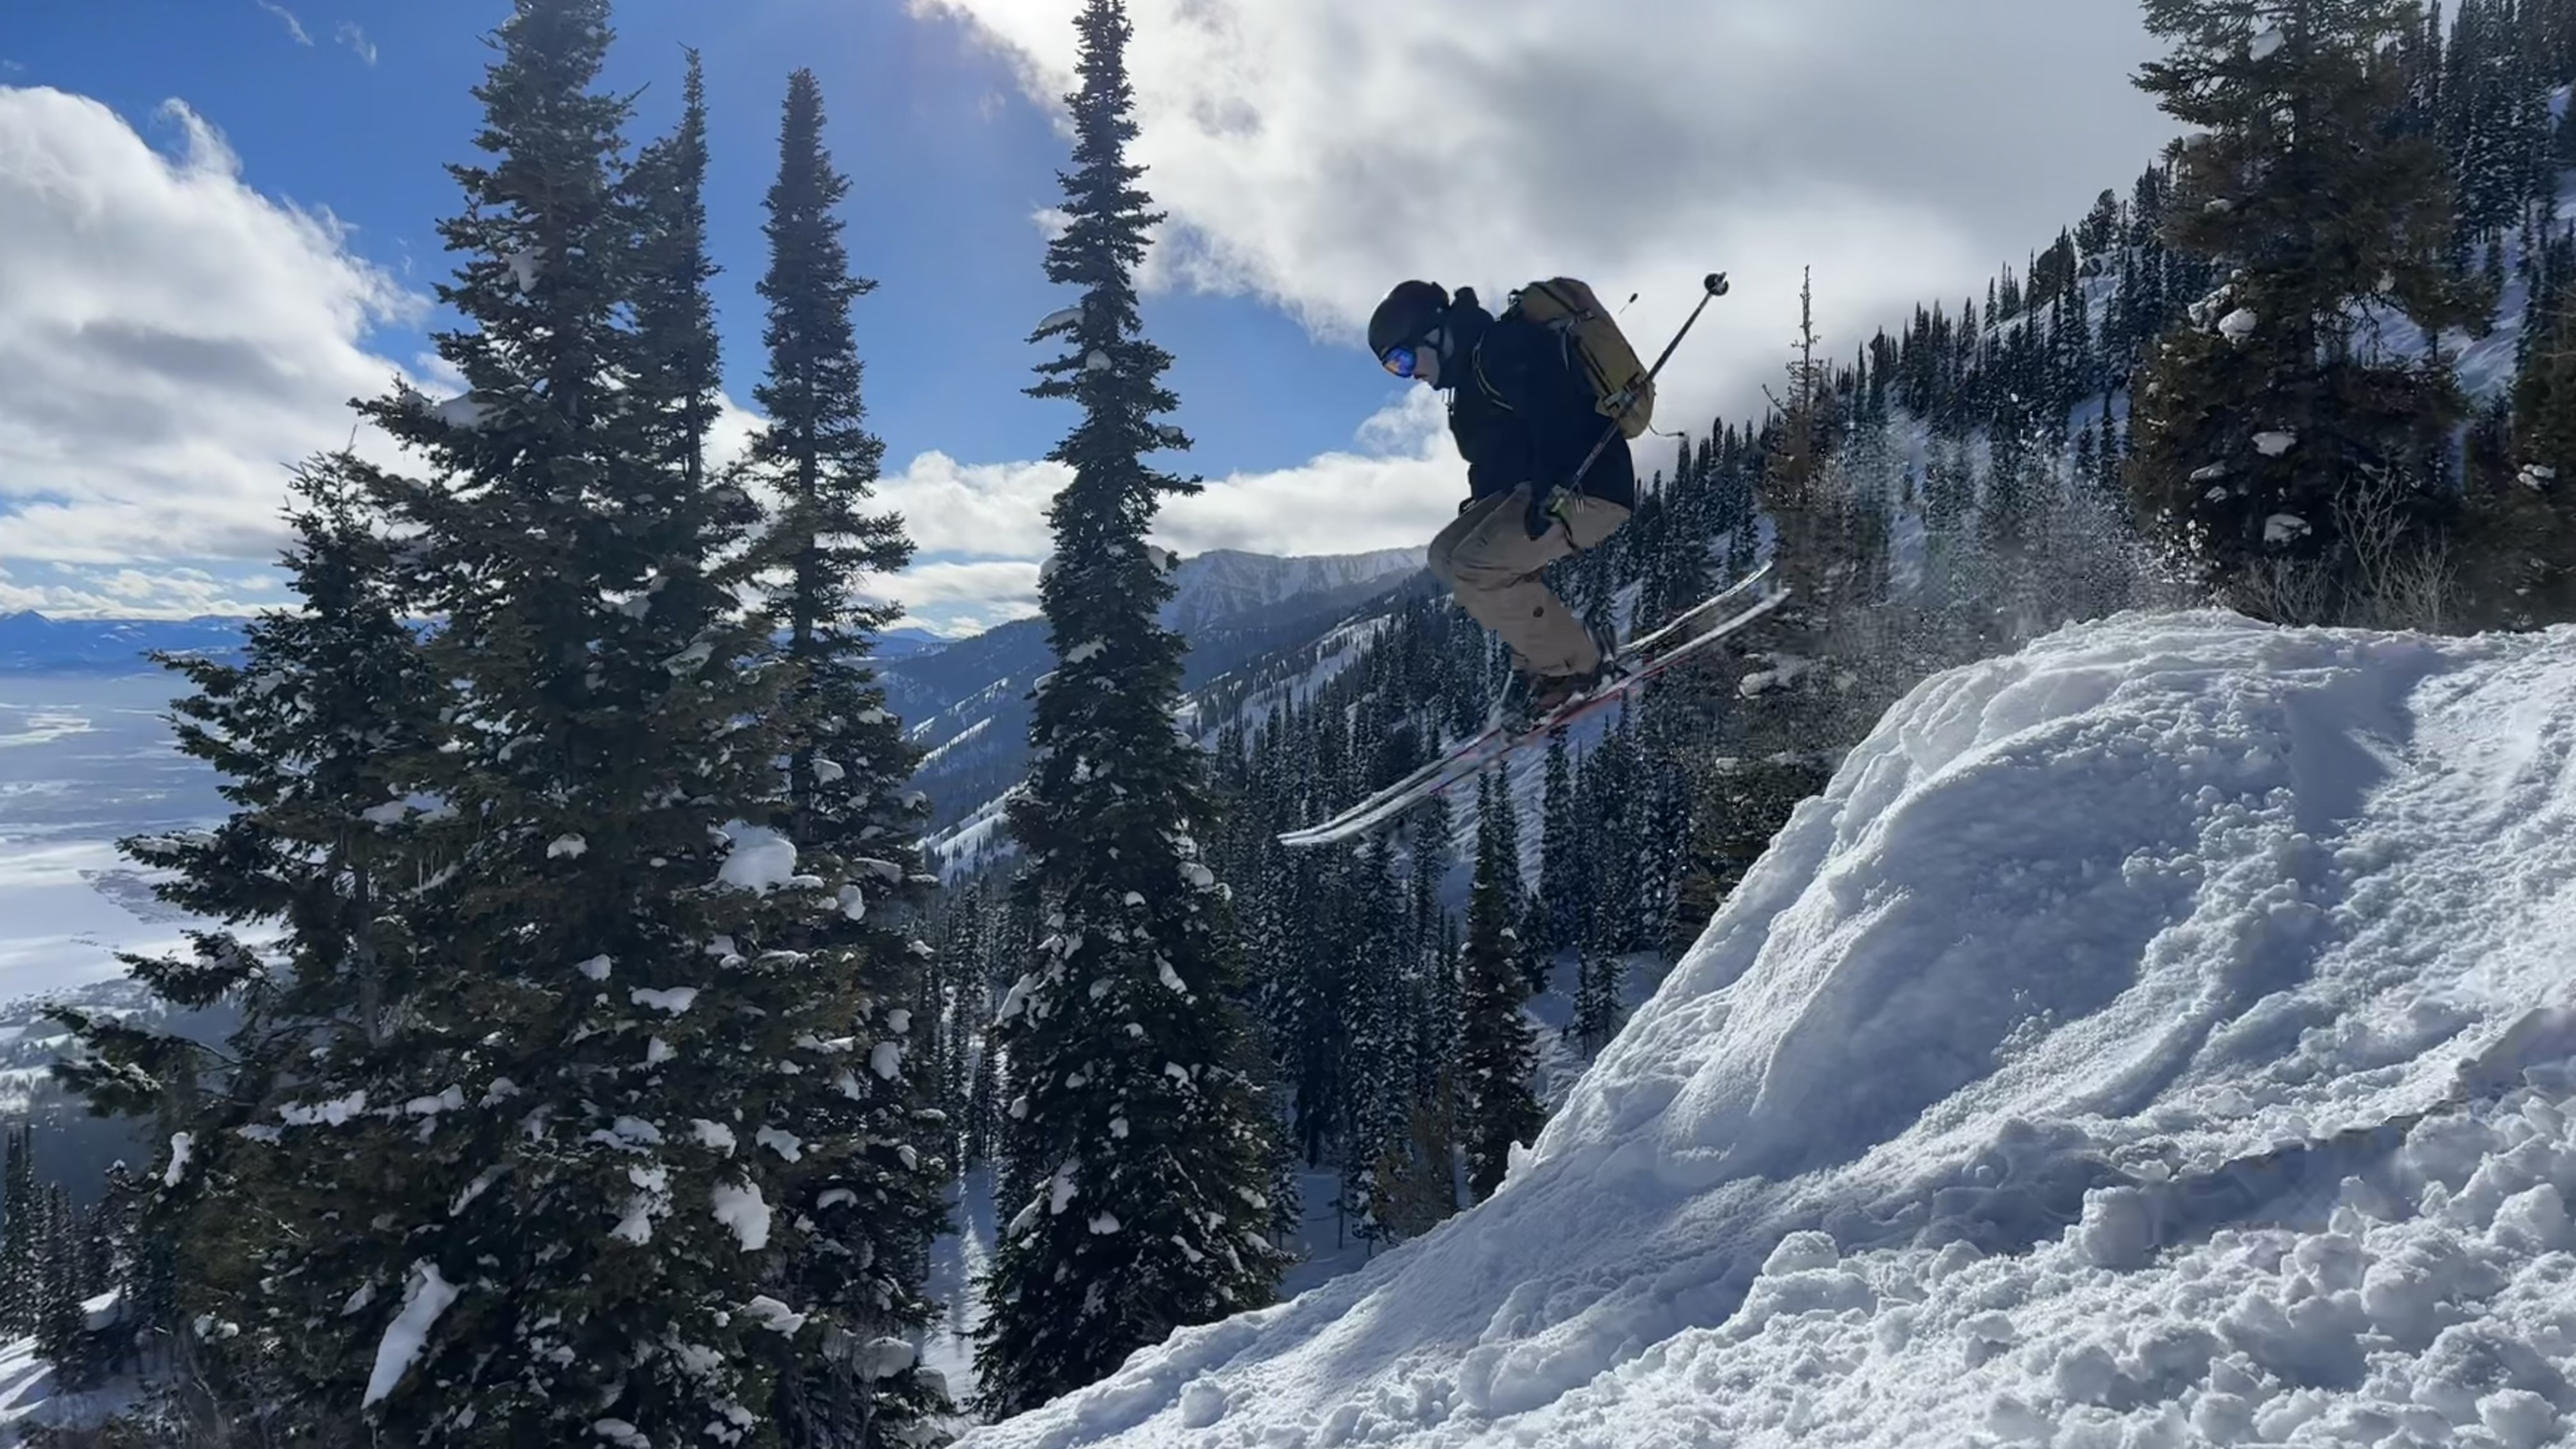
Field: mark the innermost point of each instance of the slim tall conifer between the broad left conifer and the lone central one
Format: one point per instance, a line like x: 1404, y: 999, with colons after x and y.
x: 875, y: 1195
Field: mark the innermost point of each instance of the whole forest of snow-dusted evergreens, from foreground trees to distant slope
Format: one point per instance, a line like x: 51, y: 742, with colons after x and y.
x: 609, y: 1051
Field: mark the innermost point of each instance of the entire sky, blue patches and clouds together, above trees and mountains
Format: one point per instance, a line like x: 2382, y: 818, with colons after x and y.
x: 228, y: 228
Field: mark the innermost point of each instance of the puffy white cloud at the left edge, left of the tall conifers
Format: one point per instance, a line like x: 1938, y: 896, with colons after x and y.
x: 169, y: 342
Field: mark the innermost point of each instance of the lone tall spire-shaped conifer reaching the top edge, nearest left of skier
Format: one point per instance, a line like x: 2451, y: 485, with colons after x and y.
x: 1142, y: 1131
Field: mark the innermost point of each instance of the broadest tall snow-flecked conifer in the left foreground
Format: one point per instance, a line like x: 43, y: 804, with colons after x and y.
x: 601, y: 1074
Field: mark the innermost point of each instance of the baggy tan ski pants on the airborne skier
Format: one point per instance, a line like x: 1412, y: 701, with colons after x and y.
x: 1490, y: 561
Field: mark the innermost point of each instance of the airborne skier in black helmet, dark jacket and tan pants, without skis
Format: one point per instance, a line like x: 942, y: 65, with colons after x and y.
x: 1524, y: 416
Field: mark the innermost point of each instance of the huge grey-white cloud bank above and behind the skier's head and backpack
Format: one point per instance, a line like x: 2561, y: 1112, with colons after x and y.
x: 1320, y: 151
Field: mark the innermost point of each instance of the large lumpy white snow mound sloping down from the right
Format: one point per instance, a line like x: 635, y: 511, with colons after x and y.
x: 2155, y: 1038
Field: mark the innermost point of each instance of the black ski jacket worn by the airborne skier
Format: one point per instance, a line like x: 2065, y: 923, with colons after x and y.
x: 1521, y: 411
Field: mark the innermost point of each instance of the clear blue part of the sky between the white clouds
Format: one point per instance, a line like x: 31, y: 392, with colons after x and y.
x: 949, y: 161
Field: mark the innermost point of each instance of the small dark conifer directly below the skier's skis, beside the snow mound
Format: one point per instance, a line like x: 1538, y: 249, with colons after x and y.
x: 1498, y: 1045
